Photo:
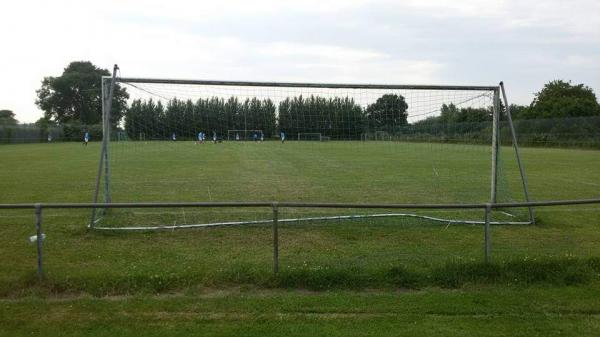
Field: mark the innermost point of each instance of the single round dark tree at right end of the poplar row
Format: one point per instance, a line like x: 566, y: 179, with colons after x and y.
x: 388, y: 112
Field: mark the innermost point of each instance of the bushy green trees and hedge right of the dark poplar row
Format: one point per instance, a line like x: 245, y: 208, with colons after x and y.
x: 560, y: 114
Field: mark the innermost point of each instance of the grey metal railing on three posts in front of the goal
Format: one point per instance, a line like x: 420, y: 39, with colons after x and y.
x: 275, y: 206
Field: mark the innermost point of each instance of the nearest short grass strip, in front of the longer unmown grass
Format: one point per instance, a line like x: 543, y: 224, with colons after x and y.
x: 532, y: 311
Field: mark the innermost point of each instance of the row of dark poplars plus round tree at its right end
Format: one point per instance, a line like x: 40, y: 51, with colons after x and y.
x: 338, y: 117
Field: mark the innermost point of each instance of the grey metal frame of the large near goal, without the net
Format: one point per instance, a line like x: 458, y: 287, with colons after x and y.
x: 499, y: 97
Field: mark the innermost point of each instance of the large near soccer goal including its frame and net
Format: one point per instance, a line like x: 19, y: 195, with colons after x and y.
x: 435, y: 158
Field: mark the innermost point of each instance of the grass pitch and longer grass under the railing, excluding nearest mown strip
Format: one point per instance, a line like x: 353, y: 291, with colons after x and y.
x: 360, y: 253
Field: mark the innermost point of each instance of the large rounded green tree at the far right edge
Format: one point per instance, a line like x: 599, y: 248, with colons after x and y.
x: 562, y: 99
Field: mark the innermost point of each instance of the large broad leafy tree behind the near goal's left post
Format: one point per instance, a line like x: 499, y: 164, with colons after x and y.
x: 74, y: 97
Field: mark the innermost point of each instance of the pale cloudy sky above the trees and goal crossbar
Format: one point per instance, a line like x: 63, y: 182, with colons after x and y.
x: 471, y: 42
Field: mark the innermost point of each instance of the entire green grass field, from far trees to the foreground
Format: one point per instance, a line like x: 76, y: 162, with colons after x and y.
x: 391, y: 276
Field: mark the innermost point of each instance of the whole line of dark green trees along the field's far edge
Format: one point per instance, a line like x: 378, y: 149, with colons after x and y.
x: 71, y: 102
